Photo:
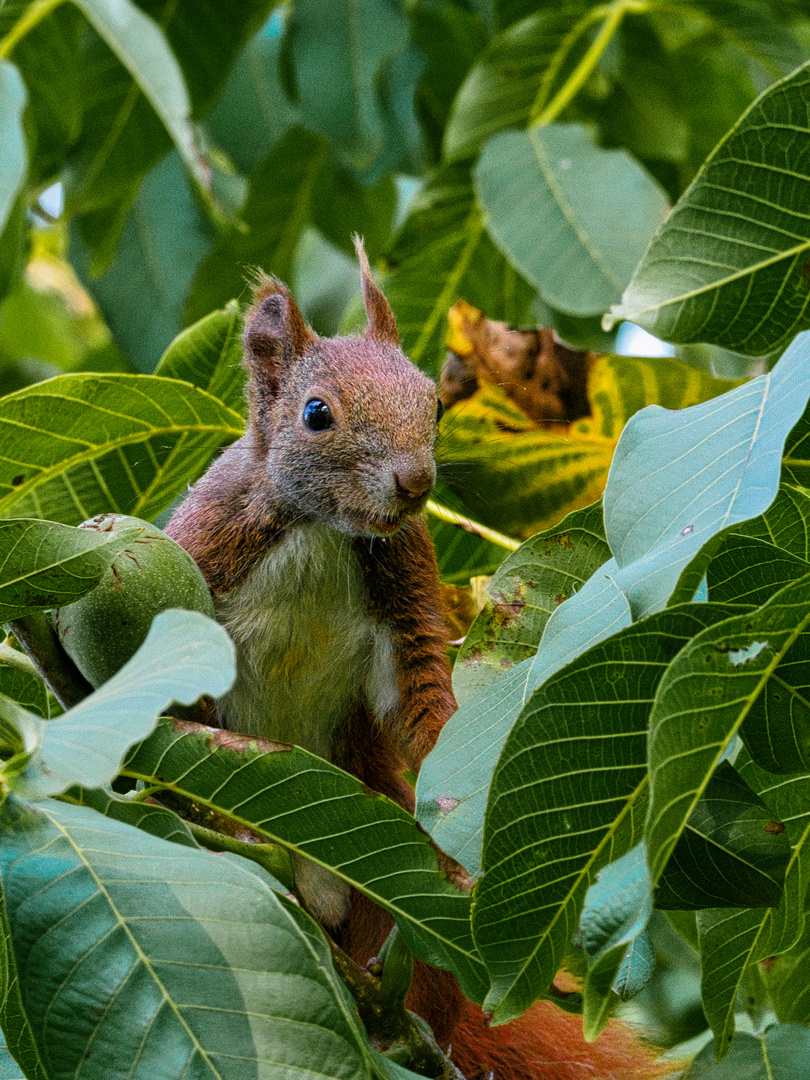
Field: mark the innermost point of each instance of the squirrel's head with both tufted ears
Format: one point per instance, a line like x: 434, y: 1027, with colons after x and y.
x: 344, y: 427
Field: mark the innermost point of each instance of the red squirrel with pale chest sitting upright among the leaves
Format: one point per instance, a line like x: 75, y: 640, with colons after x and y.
x: 309, y: 534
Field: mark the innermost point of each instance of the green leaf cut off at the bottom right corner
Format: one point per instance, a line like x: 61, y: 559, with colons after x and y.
x: 781, y: 1052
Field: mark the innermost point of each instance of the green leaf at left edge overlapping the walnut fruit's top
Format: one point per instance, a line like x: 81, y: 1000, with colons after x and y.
x: 45, y: 564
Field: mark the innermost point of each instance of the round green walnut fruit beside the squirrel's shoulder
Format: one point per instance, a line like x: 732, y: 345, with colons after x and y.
x: 104, y: 629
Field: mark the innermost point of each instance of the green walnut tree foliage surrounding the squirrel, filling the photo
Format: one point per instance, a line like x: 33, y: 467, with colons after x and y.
x: 628, y: 777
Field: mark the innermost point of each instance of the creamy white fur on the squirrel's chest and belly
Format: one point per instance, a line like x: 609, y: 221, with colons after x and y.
x: 307, y: 650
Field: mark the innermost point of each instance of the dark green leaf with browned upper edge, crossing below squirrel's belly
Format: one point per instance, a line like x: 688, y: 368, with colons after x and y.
x: 318, y: 811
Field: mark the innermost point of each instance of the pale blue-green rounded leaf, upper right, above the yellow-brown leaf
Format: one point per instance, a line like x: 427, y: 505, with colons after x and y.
x: 574, y: 219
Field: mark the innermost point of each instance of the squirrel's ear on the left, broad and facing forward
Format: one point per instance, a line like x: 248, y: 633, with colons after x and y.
x: 276, y: 333
